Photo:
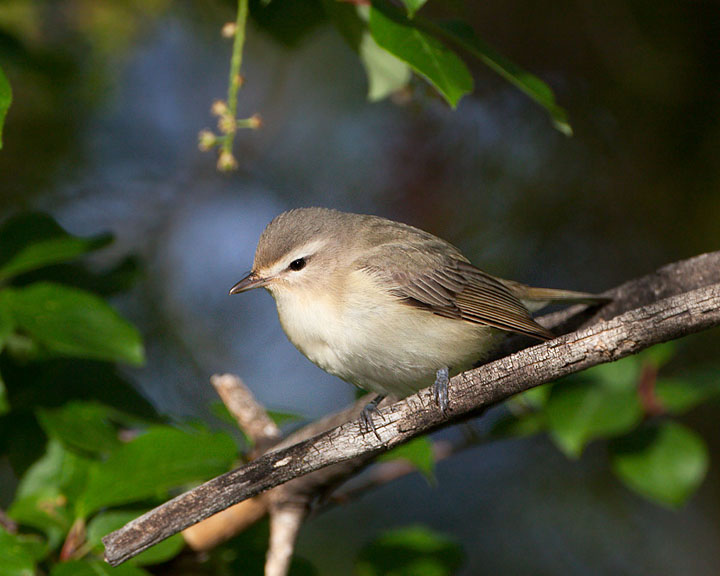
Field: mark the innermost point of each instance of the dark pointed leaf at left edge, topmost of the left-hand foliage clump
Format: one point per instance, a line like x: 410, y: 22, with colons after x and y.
x: 32, y: 240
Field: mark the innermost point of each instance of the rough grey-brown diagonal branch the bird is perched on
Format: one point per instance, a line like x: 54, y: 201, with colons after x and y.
x: 677, y: 300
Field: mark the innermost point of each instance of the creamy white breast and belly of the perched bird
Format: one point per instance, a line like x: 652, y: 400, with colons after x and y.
x: 371, y: 339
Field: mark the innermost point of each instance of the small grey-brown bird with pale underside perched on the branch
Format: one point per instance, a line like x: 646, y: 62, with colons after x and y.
x: 386, y: 306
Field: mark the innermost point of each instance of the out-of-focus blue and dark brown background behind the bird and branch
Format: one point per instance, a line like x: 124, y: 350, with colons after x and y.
x: 109, y: 99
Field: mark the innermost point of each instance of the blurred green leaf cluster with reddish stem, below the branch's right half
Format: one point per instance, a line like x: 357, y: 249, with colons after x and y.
x: 634, y: 409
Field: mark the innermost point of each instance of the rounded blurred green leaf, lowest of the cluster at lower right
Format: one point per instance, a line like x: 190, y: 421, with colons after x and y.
x: 664, y: 463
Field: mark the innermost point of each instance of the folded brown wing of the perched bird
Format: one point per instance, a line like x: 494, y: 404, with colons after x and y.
x: 445, y: 283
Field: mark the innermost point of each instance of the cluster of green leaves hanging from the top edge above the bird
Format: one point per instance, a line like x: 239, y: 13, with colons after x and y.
x: 394, y: 41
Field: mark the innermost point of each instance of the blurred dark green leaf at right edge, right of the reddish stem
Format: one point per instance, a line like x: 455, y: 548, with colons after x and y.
x: 678, y: 395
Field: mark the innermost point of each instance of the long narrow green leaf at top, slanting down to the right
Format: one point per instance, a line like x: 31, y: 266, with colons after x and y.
x: 463, y: 34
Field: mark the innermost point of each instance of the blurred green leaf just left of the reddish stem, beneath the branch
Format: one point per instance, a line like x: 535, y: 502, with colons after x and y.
x: 578, y: 412
